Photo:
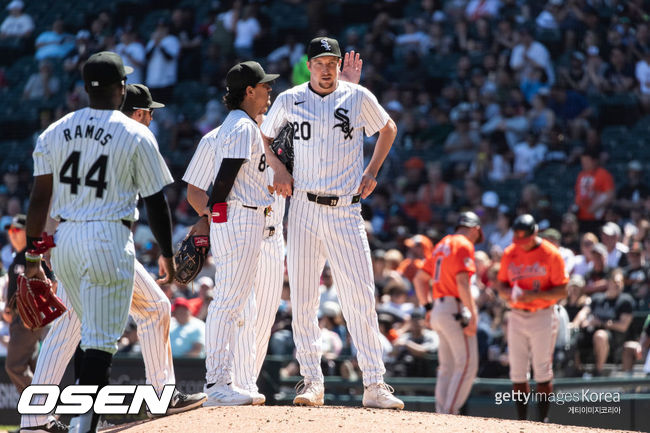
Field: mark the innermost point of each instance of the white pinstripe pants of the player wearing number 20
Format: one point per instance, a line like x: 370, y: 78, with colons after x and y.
x: 337, y: 234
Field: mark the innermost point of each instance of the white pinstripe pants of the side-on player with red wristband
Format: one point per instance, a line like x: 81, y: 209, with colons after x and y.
x: 235, y: 246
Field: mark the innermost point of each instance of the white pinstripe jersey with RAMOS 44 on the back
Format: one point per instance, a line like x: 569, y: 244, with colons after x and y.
x: 100, y: 160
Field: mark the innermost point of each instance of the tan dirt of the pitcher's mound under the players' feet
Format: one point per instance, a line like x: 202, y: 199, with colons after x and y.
x: 330, y: 419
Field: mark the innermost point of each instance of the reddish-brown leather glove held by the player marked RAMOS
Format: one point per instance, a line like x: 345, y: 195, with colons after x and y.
x: 36, y: 302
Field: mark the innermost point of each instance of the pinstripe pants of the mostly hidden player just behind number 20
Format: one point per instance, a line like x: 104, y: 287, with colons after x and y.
x: 259, y: 314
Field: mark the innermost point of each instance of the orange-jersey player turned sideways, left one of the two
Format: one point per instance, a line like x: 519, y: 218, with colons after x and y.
x: 454, y: 316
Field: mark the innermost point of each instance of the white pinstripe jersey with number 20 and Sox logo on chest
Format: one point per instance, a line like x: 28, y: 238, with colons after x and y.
x: 328, y: 142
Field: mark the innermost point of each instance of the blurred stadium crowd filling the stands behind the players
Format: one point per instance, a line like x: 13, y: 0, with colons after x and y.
x: 500, y: 105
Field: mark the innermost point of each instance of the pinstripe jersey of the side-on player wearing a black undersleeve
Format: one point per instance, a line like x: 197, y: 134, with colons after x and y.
x: 238, y: 137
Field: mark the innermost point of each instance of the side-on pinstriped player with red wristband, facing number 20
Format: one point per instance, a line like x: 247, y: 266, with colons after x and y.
x: 233, y: 157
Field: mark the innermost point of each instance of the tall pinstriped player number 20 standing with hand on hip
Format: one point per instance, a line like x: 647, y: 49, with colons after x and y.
x: 325, y: 223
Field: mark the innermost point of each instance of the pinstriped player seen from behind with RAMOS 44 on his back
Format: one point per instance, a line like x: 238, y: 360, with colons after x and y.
x: 91, y: 165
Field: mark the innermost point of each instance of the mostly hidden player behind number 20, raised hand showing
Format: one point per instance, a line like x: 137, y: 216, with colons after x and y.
x: 256, y: 321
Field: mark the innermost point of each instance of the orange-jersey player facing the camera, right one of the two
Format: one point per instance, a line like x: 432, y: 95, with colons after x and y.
x: 532, y: 279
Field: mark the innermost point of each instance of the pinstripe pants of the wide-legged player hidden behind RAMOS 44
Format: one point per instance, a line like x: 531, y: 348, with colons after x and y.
x: 150, y: 309
